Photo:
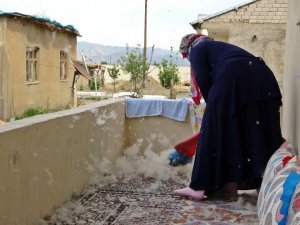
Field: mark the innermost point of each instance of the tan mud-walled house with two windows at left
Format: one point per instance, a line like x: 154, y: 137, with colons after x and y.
x: 35, y: 67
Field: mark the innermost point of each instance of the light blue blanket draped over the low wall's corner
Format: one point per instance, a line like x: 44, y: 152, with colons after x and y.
x: 172, y: 109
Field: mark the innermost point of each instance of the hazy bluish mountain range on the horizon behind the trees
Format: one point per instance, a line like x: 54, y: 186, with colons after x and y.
x: 97, y: 53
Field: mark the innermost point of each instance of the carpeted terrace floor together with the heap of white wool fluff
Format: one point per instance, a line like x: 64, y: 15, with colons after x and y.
x: 142, y: 193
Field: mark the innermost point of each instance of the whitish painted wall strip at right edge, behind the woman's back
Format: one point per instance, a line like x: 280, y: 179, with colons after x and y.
x: 291, y: 107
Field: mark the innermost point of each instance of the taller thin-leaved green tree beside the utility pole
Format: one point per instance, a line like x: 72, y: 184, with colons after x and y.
x: 134, y: 64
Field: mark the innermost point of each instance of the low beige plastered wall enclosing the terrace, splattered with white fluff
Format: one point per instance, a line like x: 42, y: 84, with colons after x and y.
x: 47, y: 158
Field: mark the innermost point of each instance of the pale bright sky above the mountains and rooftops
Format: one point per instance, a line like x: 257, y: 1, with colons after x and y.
x: 121, y: 22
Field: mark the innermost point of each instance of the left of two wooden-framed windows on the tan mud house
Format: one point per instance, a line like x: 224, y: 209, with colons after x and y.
x: 31, y: 63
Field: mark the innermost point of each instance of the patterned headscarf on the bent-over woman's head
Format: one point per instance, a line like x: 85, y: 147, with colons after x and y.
x: 190, y: 40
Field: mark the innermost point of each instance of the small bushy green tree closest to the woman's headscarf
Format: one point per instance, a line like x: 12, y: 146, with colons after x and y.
x: 168, y: 71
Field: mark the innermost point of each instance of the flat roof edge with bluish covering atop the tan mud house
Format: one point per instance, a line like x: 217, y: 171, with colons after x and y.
x: 51, y: 24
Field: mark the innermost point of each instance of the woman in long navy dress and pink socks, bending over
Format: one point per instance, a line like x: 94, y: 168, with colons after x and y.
x: 241, y: 124
